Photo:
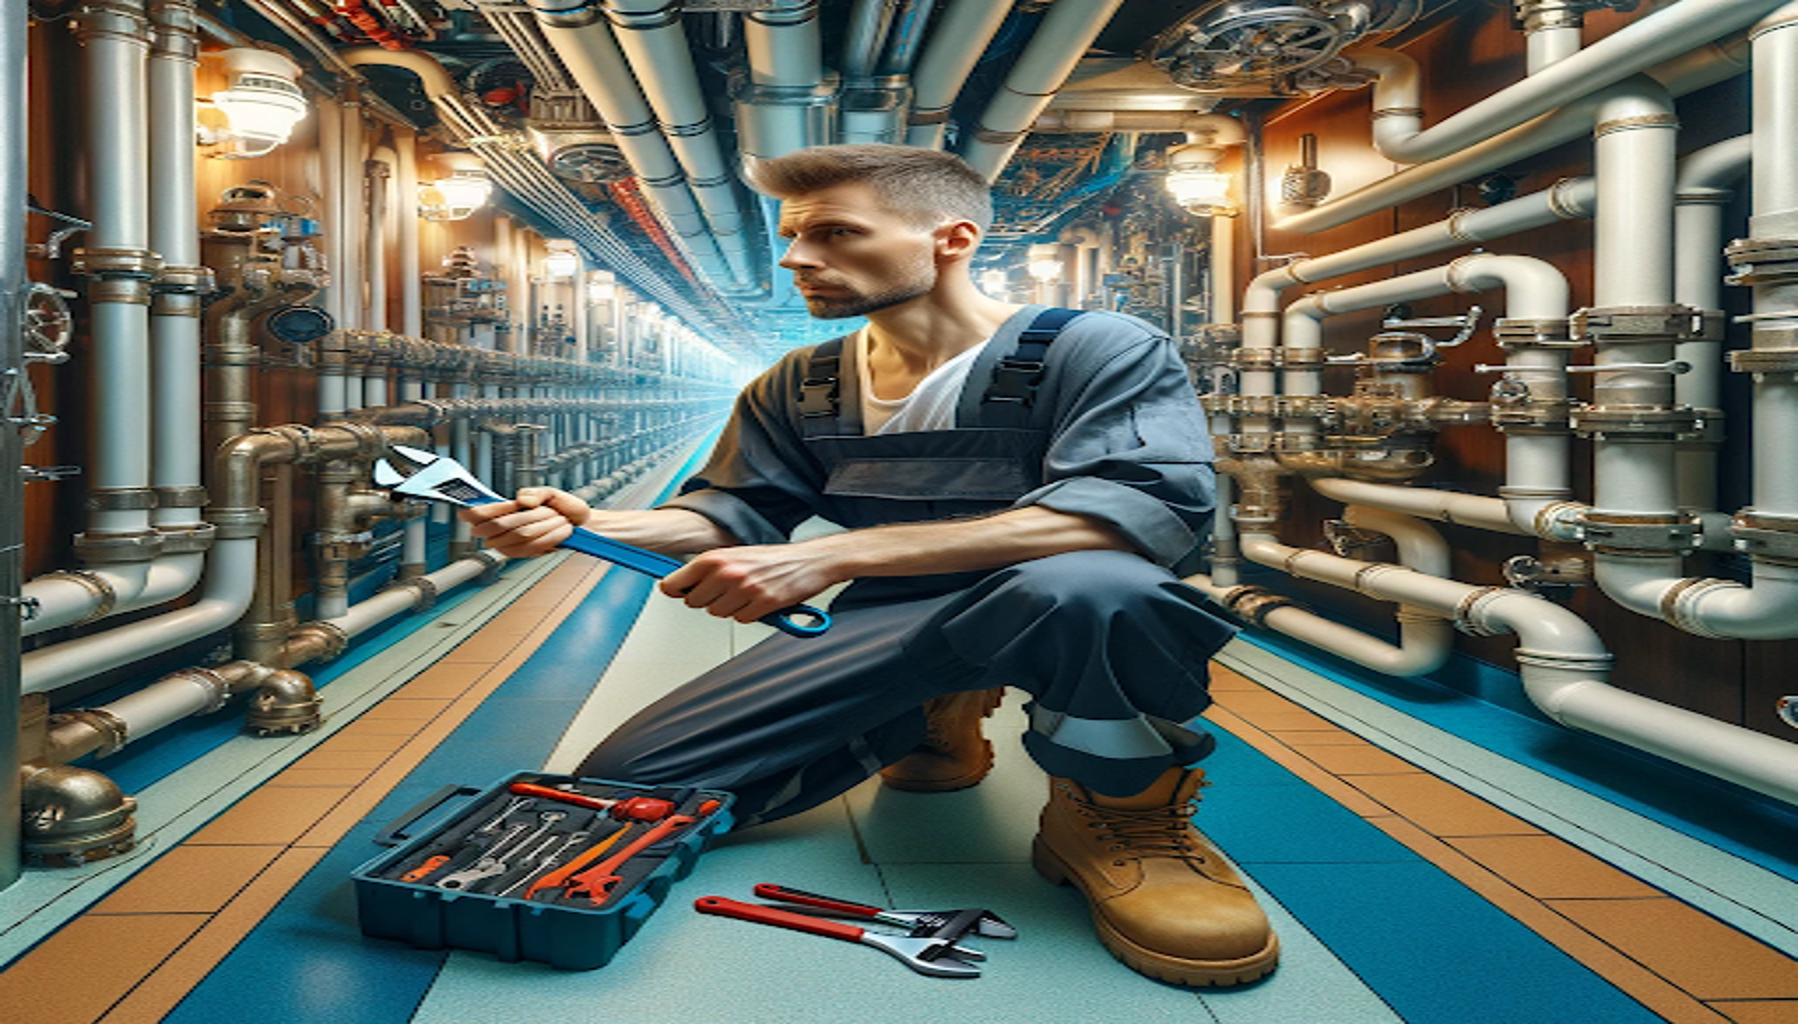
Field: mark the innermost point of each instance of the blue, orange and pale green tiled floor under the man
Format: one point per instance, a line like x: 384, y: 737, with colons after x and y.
x: 1402, y: 892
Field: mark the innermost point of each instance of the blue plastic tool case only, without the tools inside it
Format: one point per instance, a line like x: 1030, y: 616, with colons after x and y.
x: 569, y: 933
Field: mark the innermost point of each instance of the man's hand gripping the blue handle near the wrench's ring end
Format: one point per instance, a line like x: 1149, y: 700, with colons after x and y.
x: 756, y: 581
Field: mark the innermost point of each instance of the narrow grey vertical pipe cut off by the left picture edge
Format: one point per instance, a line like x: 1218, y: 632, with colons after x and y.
x: 15, y: 184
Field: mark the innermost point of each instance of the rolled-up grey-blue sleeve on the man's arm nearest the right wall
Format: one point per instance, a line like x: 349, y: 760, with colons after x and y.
x: 1134, y: 452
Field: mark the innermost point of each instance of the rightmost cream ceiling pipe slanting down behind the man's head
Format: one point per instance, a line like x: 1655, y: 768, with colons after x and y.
x: 1056, y: 48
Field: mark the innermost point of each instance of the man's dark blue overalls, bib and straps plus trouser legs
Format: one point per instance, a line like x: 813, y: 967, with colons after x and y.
x: 1112, y: 648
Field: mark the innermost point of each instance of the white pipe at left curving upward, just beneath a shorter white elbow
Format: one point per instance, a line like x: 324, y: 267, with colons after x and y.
x: 226, y: 596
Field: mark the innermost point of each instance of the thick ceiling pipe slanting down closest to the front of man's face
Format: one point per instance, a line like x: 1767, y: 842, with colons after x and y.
x: 655, y: 48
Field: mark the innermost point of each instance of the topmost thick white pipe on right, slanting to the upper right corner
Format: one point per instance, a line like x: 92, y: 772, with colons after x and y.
x: 1633, y: 49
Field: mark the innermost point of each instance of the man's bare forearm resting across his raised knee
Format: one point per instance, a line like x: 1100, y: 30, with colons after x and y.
x: 965, y: 545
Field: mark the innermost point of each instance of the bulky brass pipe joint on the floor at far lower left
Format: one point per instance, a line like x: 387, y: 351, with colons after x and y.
x: 73, y: 817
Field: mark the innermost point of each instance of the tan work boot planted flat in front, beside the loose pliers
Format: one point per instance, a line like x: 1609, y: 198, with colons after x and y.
x: 1164, y: 899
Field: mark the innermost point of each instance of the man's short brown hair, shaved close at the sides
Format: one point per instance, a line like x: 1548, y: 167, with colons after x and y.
x: 921, y: 186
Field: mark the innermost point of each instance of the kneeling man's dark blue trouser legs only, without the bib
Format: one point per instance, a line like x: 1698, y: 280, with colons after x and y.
x: 1112, y: 649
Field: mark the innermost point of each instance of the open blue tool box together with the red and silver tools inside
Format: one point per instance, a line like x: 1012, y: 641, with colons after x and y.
x: 539, y: 867
